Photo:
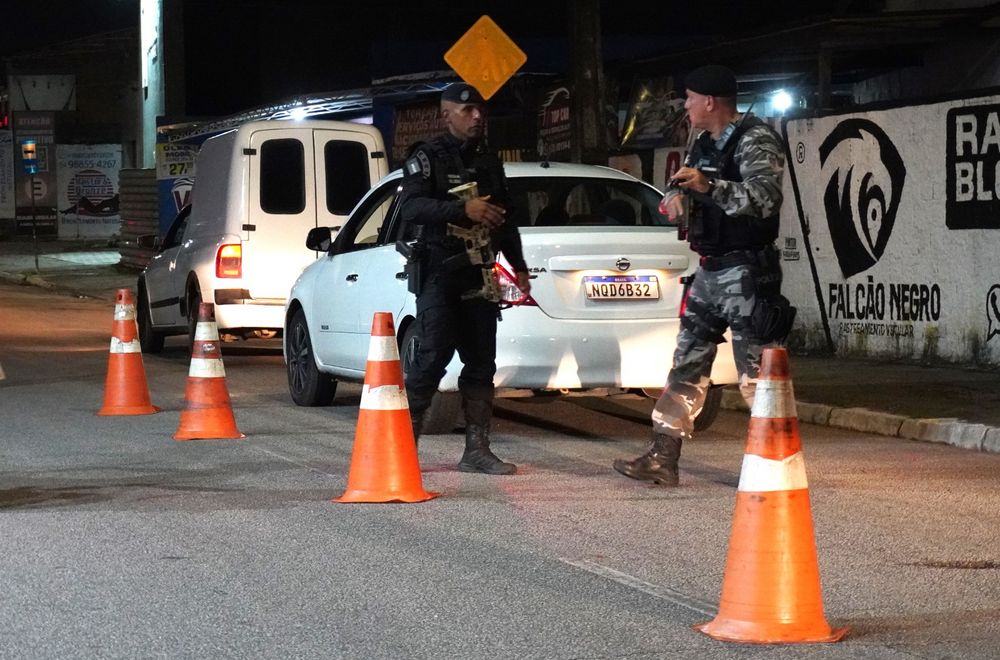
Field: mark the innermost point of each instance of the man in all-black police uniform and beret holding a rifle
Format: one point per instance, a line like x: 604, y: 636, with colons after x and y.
x: 457, y: 302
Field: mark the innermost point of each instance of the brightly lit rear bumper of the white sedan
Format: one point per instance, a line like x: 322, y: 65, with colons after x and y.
x: 535, y: 351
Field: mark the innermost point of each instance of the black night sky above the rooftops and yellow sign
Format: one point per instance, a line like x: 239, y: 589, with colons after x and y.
x: 281, y: 48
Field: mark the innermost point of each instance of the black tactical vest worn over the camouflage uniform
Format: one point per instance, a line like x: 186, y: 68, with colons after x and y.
x: 712, y: 232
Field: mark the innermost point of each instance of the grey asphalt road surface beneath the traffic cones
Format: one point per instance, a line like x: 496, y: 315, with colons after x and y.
x: 118, y: 542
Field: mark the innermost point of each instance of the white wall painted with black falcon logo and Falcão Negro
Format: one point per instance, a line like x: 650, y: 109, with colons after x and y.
x: 890, y: 231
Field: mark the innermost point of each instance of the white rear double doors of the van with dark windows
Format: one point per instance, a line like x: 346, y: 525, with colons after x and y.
x: 300, y: 178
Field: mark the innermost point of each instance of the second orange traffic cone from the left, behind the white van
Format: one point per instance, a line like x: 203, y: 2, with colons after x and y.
x: 208, y: 413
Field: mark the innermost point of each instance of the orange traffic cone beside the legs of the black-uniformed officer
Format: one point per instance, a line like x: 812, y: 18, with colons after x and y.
x: 384, y: 466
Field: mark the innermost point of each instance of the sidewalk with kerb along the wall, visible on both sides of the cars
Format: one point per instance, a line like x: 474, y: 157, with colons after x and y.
x: 941, y: 403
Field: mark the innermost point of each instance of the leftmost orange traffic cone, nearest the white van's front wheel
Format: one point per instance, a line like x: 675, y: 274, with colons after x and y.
x: 125, y: 390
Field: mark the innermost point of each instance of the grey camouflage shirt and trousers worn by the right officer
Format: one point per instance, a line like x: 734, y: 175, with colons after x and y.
x: 721, y: 297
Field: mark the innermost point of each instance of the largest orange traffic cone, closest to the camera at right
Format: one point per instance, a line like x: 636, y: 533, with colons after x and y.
x: 771, y: 589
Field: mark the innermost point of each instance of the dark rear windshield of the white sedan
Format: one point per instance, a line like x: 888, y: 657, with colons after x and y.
x: 578, y: 201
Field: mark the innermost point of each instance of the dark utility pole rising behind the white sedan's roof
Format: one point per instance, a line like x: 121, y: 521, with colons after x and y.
x: 589, y: 137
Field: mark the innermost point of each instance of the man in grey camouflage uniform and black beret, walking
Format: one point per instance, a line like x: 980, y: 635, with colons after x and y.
x: 732, y: 179
